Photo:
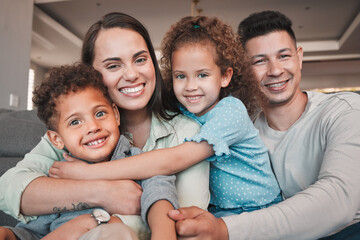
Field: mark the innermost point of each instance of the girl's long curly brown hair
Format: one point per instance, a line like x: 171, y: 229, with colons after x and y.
x: 228, y: 50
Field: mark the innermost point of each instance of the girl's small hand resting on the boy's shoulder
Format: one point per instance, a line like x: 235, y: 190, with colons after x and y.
x: 72, y: 168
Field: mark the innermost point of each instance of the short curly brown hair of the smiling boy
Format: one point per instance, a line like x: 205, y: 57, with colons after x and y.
x: 62, y: 81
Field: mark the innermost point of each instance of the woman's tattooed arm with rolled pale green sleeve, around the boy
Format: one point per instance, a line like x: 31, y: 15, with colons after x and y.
x: 27, y: 184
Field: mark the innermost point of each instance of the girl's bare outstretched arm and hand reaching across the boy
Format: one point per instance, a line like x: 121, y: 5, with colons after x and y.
x: 163, y: 161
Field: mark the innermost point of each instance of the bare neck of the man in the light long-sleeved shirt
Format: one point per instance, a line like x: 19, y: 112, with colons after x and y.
x: 281, y: 117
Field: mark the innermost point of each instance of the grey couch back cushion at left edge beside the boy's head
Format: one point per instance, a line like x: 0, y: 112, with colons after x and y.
x: 20, y: 131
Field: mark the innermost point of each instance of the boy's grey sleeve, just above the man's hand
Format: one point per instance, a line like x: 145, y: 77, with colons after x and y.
x: 155, y: 189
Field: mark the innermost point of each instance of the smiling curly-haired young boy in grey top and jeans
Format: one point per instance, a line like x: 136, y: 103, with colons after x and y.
x: 81, y: 119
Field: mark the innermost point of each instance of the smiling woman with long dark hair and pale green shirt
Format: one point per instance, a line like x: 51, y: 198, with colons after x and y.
x: 120, y: 48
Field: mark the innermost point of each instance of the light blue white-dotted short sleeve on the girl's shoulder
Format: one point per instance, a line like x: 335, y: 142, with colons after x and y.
x: 226, y: 124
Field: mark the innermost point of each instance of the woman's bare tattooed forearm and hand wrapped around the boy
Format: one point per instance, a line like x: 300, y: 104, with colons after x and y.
x: 47, y: 195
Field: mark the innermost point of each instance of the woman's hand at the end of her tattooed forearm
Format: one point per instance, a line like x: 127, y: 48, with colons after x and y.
x: 121, y: 196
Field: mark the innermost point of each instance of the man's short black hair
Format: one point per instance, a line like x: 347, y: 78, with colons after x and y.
x: 261, y: 23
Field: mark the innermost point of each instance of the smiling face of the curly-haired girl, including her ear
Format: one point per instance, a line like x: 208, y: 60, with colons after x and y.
x: 197, y: 79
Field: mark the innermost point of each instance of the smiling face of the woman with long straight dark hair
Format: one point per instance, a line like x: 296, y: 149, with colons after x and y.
x: 122, y: 56
